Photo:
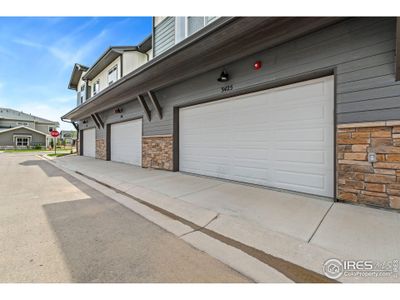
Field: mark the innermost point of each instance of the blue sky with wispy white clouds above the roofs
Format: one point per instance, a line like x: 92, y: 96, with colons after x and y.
x: 37, y: 55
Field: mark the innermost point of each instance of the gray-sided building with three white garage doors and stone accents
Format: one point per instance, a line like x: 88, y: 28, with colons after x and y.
x: 309, y: 105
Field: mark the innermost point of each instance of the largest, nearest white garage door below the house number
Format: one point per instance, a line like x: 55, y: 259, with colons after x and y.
x: 282, y: 137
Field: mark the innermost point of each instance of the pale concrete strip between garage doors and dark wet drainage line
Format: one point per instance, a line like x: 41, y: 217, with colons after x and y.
x: 303, y: 230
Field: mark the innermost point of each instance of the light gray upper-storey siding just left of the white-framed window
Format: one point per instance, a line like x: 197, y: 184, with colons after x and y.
x: 164, y: 35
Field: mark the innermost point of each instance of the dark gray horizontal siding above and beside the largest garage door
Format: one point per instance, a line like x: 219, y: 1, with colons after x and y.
x: 360, y: 49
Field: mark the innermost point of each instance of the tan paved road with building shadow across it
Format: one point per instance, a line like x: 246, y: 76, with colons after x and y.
x: 54, y: 228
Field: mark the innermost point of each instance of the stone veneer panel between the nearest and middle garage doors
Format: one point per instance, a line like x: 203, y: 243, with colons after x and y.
x: 157, y: 152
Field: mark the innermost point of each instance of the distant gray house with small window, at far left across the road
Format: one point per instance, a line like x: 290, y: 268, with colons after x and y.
x: 22, y: 130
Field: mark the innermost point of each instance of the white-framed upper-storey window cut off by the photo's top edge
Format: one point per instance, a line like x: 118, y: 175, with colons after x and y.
x: 186, y: 26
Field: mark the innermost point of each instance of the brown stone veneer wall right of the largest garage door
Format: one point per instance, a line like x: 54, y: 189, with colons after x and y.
x: 360, y: 181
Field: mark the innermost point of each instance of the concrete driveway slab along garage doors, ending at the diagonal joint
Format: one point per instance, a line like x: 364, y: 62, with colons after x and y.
x: 292, y: 214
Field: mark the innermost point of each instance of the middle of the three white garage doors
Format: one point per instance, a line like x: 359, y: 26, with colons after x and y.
x: 126, y: 142
